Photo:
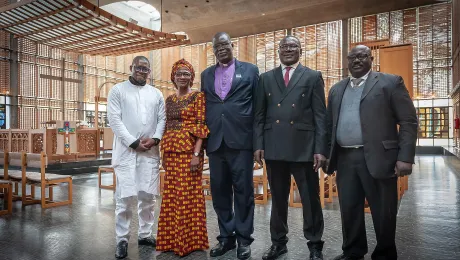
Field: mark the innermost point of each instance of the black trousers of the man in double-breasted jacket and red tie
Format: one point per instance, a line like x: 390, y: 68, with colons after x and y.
x: 279, y: 178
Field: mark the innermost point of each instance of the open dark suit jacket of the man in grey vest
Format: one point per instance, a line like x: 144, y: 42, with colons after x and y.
x: 385, y: 104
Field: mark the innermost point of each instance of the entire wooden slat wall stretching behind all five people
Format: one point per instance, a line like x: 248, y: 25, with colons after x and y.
x: 40, y: 99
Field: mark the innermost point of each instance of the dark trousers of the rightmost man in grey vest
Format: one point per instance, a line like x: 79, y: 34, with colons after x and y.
x: 354, y: 184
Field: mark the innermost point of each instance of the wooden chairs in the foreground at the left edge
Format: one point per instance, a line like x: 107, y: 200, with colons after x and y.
x: 33, y: 179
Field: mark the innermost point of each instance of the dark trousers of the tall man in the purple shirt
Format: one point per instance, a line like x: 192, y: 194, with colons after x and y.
x: 232, y: 183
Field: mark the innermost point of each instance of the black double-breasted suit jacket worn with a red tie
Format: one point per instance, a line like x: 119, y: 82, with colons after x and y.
x: 290, y: 122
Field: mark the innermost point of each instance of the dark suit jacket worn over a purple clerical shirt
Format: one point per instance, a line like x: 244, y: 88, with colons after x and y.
x: 231, y: 119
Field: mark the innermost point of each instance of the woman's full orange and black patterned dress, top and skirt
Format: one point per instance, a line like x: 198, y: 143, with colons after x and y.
x: 182, y: 221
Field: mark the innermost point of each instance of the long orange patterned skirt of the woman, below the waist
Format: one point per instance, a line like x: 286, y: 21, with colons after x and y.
x: 182, y: 221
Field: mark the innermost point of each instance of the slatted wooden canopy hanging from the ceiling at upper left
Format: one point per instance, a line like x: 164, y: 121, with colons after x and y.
x: 81, y: 27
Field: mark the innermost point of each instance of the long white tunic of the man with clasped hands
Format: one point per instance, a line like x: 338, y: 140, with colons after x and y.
x: 135, y: 112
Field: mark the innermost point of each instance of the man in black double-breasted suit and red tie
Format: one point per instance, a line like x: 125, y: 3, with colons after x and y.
x: 290, y: 134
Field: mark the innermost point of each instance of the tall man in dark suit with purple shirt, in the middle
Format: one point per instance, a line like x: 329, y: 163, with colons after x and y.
x: 229, y: 87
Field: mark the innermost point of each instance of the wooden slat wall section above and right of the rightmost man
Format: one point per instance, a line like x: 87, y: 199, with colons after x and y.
x: 428, y: 29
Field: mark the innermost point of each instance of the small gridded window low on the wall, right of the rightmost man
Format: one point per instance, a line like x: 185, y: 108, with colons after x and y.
x: 433, y: 122
